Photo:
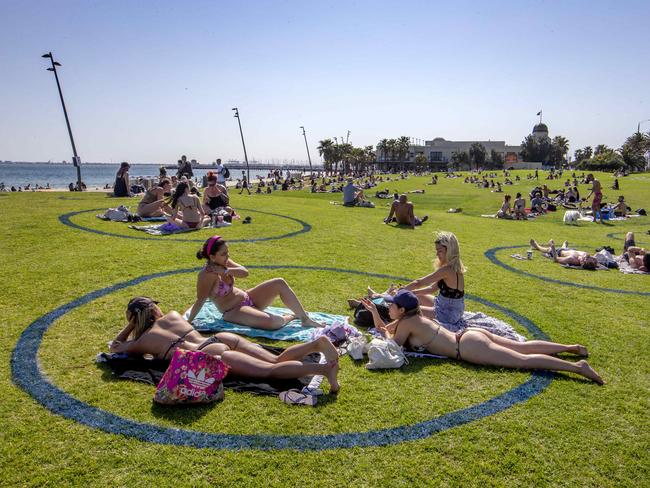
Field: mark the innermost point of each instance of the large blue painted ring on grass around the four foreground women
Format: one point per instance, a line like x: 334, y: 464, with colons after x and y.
x: 27, y: 374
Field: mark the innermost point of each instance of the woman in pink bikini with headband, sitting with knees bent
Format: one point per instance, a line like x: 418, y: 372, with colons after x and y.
x: 216, y: 281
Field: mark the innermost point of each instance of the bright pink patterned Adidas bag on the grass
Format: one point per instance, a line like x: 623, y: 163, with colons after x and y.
x: 192, y: 377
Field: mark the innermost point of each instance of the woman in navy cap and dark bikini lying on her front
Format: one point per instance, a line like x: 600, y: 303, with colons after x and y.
x: 473, y: 345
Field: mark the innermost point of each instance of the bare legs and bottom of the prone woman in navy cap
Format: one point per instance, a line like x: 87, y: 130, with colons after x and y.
x: 479, y: 349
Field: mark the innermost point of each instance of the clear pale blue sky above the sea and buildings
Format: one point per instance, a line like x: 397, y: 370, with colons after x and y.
x: 147, y: 81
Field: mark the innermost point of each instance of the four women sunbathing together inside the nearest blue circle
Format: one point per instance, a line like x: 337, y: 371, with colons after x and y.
x: 417, y: 318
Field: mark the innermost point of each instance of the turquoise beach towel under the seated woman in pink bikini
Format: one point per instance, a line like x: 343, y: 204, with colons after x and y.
x: 210, y: 319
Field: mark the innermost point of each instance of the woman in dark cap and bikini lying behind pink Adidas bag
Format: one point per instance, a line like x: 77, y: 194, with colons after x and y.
x: 153, y: 332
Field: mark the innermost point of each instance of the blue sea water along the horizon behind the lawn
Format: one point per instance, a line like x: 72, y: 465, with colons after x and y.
x: 93, y: 175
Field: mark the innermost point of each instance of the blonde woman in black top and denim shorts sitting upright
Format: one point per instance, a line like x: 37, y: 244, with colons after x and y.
x: 448, y: 305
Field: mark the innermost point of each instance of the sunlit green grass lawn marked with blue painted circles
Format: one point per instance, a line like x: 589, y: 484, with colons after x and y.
x: 573, y: 433
